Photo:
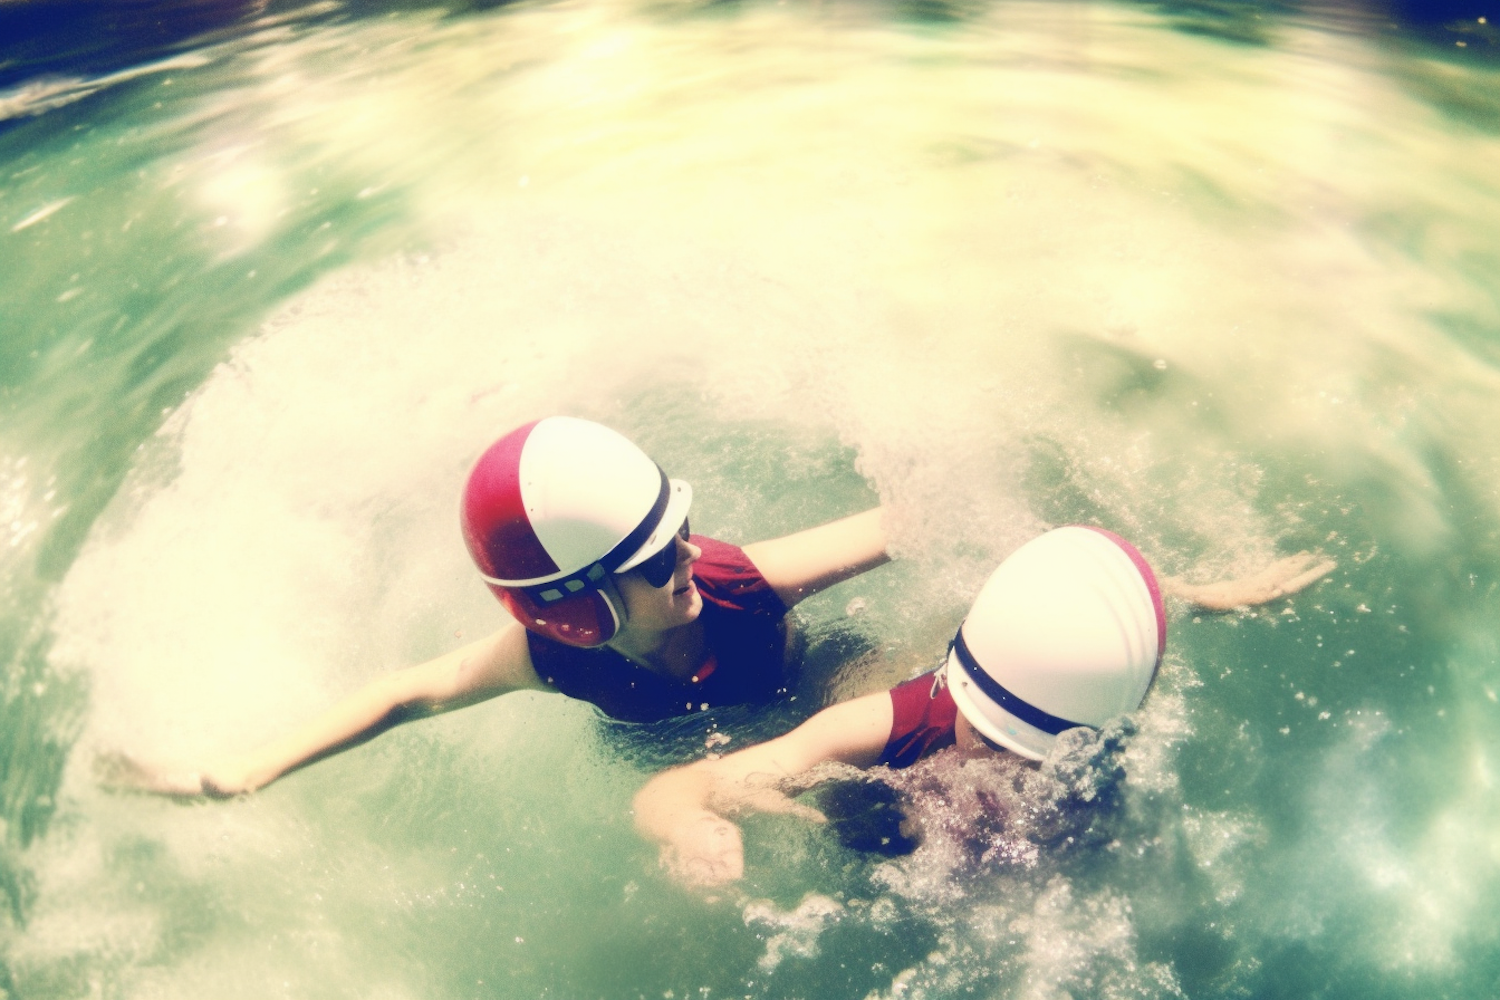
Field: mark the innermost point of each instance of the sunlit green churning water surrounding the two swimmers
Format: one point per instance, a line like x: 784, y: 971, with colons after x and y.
x: 1217, y: 278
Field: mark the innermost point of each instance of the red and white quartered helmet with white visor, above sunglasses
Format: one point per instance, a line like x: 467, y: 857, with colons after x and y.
x: 553, y: 510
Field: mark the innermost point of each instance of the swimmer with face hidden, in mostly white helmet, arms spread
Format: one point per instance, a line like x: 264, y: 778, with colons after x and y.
x: 1069, y: 632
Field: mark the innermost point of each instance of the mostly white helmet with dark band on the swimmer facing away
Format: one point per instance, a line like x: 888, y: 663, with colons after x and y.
x: 1067, y: 632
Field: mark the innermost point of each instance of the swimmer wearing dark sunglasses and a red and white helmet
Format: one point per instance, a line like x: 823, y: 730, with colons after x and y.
x: 587, y: 543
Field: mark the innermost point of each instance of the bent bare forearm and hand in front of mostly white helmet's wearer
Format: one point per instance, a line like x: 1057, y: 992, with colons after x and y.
x: 686, y: 809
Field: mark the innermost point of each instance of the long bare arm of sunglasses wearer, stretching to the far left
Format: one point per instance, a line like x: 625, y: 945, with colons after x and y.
x: 467, y: 675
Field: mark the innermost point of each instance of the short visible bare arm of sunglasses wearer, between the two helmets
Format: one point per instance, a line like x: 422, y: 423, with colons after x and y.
x: 803, y: 564
